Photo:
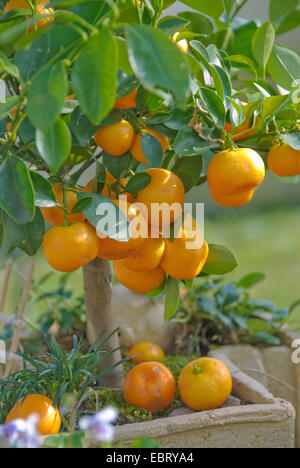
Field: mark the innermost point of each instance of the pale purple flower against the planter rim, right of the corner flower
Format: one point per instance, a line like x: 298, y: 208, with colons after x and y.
x: 100, y: 424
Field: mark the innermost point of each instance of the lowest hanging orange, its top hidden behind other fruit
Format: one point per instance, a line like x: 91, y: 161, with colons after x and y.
x: 138, y: 281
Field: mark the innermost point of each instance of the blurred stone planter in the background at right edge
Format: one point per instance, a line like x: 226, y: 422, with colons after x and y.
x: 272, y: 367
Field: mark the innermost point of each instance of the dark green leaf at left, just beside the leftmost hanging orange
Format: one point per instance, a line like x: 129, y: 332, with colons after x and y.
x: 27, y: 237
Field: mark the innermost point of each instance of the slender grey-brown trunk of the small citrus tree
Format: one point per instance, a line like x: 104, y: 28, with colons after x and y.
x: 97, y: 285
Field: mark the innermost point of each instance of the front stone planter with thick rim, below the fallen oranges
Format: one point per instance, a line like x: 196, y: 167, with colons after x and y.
x: 264, y: 422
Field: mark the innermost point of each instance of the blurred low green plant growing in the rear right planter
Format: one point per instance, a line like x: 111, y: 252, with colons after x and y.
x: 213, y: 313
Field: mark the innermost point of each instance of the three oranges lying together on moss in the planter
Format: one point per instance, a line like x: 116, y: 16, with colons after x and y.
x: 204, y: 384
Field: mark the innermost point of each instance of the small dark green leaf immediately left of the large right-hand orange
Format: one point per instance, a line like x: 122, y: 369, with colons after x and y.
x: 189, y: 143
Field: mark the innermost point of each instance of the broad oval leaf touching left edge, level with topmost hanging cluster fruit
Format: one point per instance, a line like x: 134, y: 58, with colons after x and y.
x: 16, y: 194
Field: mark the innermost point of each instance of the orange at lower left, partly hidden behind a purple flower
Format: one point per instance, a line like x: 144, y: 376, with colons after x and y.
x: 49, y: 417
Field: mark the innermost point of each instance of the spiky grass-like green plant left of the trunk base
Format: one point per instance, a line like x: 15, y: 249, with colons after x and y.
x: 56, y: 374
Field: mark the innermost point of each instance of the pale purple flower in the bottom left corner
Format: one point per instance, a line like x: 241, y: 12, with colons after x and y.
x: 22, y: 433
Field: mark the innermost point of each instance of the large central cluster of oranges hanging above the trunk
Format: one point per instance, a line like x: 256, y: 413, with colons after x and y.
x: 141, y: 262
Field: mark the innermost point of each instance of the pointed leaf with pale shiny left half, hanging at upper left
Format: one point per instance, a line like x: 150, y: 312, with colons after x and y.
x: 54, y: 145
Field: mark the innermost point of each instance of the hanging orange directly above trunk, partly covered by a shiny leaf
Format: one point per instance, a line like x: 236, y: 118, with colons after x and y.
x: 112, y: 249
